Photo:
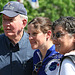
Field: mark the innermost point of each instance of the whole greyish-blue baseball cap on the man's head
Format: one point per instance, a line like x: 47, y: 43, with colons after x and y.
x: 14, y: 8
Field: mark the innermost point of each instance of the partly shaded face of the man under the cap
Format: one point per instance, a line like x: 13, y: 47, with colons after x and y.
x: 12, y: 26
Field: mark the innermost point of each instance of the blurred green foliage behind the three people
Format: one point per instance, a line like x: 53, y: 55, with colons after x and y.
x: 48, y: 8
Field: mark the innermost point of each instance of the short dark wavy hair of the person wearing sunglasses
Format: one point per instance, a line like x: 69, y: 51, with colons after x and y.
x: 68, y: 23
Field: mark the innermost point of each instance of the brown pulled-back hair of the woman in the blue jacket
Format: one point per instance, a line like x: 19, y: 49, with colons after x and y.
x: 43, y: 23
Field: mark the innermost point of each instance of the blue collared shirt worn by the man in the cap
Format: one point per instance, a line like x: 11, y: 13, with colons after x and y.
x: 12, y: 57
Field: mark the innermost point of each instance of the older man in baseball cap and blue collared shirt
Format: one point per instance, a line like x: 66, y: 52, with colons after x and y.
x: 15, y: 48
